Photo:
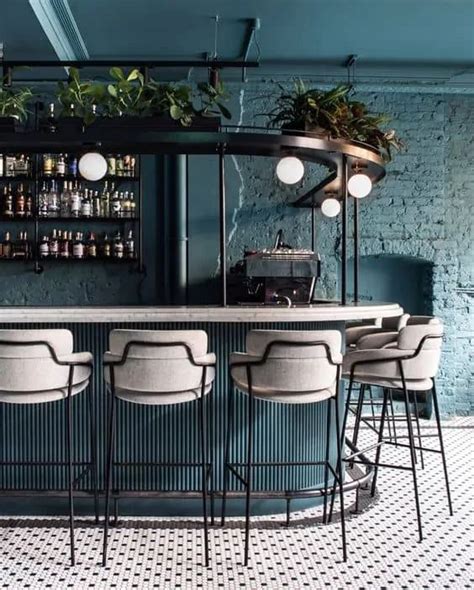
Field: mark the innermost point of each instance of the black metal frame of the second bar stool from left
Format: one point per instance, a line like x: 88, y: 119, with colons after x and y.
x: 205, y: 464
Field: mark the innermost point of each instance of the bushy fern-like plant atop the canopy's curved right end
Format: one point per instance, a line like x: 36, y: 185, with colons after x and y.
x: 334, y: 114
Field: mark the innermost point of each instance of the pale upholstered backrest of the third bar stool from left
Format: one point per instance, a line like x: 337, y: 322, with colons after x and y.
x: 292, y: 368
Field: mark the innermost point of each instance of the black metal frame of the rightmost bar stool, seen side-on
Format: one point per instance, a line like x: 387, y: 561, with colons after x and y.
x: 411, y: 438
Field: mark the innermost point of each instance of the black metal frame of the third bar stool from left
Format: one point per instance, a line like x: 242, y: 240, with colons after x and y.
x: 288, y: 495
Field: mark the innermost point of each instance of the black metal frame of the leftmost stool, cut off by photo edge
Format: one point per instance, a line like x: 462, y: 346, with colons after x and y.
x: 89, y: 467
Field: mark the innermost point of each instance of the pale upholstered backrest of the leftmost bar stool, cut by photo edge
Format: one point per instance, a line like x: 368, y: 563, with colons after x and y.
x: 31, y: 367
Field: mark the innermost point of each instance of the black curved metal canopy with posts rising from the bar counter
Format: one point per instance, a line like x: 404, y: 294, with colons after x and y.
x: 338, y: 156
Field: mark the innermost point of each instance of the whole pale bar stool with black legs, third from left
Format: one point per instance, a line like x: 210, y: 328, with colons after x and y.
x: 290, y: 368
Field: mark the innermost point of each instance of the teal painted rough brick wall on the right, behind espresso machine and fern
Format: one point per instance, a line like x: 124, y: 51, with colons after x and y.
x: 423, y: 209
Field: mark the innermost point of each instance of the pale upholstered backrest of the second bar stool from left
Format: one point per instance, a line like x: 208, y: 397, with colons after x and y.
x: 158, y: 369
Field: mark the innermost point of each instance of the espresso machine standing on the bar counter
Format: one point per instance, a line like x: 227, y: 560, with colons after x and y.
x: 277, y: 275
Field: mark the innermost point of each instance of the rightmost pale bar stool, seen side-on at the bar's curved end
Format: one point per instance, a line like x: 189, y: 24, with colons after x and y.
x: 409, y: 367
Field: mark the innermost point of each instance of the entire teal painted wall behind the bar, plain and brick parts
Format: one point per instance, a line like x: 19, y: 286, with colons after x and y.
x: 419, y: 220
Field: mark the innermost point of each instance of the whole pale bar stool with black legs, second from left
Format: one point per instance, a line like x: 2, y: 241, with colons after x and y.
x: 160, y: 368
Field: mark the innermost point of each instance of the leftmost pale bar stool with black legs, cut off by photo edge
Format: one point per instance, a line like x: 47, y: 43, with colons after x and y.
x: 39, y: 367
